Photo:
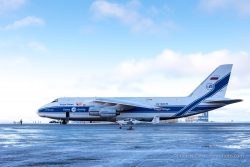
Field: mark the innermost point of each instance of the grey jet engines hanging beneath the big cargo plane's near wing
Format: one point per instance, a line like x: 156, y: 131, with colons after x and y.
x: 102, y: 112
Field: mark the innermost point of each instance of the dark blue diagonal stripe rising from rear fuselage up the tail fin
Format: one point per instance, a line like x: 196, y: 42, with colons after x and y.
x: 218, y: 86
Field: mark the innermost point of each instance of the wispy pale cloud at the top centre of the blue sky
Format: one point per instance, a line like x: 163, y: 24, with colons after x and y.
x: 129, y: 15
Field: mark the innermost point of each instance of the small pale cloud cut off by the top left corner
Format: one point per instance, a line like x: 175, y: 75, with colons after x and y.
x: 10, y: 5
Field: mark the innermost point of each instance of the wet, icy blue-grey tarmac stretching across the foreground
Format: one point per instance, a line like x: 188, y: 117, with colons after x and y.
x: 105, y: 145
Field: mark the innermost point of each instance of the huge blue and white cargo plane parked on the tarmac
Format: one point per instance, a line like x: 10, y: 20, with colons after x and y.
x: 209, y: 95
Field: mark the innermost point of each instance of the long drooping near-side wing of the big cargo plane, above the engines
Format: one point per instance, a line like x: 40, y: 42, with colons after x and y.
x: 124, y: 104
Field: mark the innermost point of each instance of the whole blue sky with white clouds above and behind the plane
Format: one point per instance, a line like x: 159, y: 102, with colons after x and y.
x: 51, y: 49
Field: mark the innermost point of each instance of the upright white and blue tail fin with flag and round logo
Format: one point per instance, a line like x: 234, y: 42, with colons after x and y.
x: 216, y: 82
